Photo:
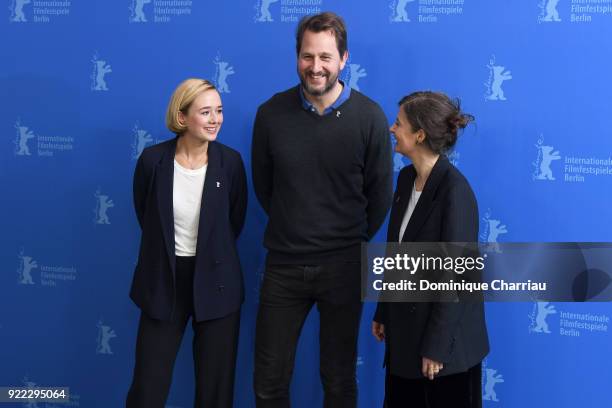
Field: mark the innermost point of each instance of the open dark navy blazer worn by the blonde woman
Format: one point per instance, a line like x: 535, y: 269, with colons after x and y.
x: 218, y: 282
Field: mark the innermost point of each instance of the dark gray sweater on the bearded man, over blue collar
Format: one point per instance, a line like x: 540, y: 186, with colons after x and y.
x: 324, y: 181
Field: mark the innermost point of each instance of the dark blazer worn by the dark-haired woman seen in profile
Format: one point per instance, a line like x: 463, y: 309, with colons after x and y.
x: 452, y: 333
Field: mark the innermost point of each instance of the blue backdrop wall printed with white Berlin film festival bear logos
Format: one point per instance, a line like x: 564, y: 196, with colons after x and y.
x: 85, y: 87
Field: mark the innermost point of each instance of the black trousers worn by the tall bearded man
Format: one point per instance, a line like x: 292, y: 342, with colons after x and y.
x: 288, y: 293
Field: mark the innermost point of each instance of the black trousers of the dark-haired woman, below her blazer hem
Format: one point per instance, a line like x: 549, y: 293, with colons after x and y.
x: 462, y: 390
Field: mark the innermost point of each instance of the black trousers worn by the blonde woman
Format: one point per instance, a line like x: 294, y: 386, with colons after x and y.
x: 214, y: 352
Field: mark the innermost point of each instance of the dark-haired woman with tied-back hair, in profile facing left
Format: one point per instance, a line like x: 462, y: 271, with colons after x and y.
x: 433, y: 350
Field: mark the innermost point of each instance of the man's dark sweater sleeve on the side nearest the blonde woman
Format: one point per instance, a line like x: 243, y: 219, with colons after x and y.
x: 261, y: 163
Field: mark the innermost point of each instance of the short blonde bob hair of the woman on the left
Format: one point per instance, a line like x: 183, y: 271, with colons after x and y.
x: 181, y: 100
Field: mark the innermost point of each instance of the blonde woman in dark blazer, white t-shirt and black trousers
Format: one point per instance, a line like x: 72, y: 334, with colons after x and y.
x: 190, y: 198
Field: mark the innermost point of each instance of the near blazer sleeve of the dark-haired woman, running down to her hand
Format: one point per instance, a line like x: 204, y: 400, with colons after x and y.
x: 460, y: 224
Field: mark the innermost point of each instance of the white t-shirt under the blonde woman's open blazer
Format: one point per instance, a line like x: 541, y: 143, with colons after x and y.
x: 187, y: 199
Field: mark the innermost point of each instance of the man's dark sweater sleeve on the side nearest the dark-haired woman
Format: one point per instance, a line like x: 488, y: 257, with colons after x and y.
x: 378, y: 172
